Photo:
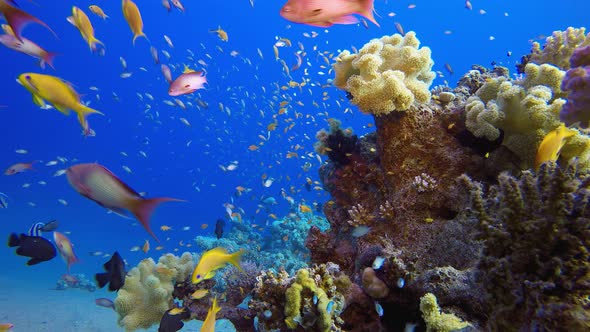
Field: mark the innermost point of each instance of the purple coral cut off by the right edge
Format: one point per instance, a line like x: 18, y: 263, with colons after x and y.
x: 577, y: 83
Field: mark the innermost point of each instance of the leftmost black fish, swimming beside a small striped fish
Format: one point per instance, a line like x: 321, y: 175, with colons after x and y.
x: 39, y: 249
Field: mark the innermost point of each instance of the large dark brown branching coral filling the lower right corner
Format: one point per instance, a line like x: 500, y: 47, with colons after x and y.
x: 536, y: 263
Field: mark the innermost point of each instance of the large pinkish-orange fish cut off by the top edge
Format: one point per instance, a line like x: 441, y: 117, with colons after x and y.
x: 325, y: 13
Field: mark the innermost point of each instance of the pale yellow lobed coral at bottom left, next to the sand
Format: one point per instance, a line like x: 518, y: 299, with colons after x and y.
x: 147, y: 292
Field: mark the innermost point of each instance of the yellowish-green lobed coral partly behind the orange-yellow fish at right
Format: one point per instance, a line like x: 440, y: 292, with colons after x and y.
x: 525, y: 110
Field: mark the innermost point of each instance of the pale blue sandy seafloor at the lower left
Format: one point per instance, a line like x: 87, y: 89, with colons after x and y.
x: 34, y: 307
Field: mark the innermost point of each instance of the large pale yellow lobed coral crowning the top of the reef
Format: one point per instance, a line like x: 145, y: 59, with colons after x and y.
x: 388, y: 74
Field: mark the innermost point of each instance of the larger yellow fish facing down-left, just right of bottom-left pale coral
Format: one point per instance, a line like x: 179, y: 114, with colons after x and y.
x: 214, y: 260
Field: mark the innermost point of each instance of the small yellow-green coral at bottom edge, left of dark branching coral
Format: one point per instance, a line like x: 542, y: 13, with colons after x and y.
x: 435, y: 320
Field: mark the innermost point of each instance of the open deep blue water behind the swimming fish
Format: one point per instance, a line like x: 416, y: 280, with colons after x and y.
x: 174, y: 169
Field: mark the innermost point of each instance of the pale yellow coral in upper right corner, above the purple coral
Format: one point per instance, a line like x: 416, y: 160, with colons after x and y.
x: 559, y: 47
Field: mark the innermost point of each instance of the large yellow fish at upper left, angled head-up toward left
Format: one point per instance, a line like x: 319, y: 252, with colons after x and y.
x: 55, y: 91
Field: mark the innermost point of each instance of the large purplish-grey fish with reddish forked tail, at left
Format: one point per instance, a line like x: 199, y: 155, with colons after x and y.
x: 100, y: 185
